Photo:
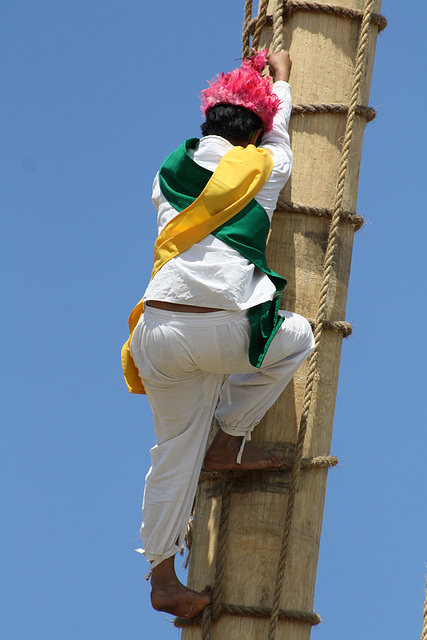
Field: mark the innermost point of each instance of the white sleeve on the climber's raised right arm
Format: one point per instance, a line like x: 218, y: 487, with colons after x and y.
x: 278, y: 142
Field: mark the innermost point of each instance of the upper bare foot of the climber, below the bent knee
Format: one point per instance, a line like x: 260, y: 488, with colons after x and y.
x: 222, y: 455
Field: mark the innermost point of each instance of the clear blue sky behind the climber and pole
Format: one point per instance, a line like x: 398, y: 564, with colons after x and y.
x: 94, y: 95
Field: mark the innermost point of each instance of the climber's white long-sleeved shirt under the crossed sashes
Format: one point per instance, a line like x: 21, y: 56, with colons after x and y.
x: 210, y: 273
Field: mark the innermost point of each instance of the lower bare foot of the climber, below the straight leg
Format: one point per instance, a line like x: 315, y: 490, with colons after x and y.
x: 168, y: 594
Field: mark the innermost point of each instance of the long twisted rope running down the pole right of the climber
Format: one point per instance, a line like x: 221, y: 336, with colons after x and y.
x: 321, y: 314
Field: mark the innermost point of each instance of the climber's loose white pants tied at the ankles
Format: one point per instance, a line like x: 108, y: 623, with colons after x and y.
x: 182, y: 359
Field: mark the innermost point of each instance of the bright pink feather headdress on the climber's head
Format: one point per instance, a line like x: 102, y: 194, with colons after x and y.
x: 245, y: 87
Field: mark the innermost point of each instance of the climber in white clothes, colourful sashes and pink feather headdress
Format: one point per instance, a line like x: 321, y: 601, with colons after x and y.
x: 208, y: 339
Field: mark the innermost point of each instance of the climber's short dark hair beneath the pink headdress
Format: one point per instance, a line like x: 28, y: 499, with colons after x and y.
x: 231, y: 121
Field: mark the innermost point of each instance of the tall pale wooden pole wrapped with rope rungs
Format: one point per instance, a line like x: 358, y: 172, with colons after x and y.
x: 323, y: 48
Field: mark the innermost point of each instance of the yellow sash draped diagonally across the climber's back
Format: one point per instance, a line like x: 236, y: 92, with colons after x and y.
x: 239, y: 176
